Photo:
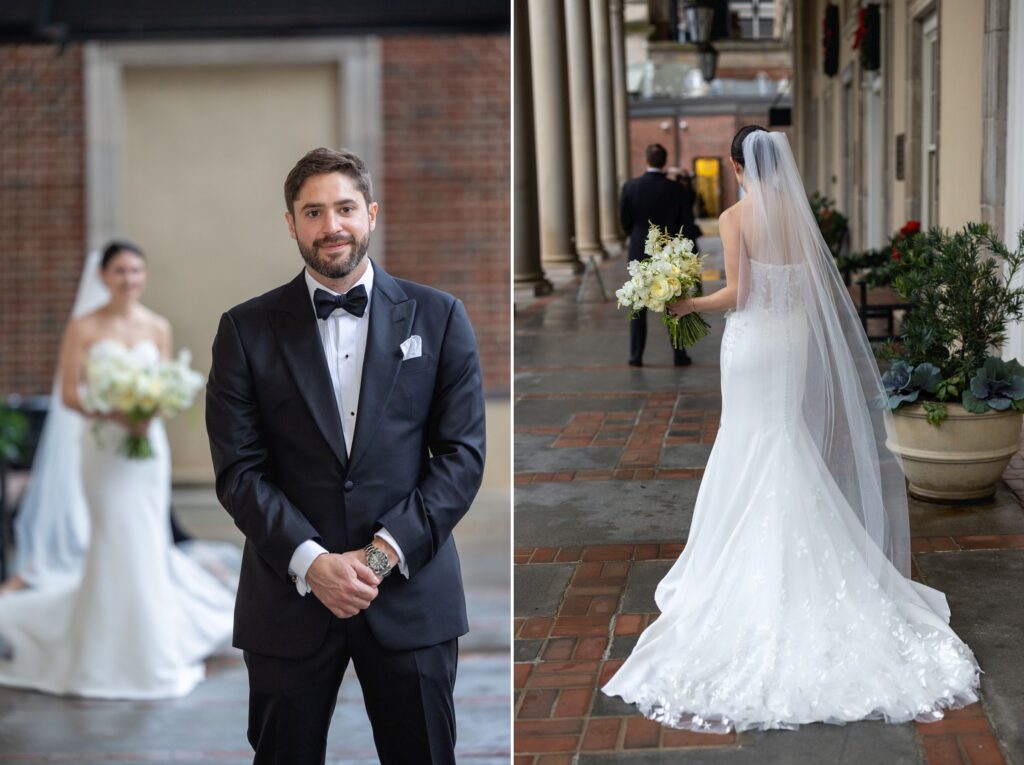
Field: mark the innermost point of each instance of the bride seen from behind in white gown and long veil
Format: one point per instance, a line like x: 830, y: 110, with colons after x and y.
x: 792, y: 603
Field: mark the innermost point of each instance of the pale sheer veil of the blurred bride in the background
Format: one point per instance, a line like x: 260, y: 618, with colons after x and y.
x: 52, y: 531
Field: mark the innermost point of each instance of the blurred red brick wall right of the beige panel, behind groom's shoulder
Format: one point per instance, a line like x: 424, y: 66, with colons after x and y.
x: 447, y: 178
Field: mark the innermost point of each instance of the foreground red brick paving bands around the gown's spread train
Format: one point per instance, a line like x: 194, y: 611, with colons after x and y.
x: 557, y: 691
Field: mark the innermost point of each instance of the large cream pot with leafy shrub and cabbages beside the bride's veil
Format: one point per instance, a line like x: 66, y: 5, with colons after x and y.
x: 957, y: 406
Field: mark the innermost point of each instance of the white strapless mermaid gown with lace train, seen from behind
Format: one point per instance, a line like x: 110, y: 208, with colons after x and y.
x: 774, y: 617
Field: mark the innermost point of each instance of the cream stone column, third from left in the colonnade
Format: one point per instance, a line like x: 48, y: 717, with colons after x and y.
x: 578, y: 45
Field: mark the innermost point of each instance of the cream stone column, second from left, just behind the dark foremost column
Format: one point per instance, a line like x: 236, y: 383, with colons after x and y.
x: 551, y: 121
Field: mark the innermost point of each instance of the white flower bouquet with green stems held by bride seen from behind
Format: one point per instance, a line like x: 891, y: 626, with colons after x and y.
x: 671, y: 271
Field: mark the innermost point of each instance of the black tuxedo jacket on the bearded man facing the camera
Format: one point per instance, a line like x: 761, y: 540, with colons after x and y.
x: 279, y: 452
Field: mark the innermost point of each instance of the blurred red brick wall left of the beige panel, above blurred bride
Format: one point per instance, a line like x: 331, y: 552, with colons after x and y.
x: 42, y: 208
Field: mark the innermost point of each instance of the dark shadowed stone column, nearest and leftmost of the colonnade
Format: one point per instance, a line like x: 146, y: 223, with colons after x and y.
x: 527, y: 227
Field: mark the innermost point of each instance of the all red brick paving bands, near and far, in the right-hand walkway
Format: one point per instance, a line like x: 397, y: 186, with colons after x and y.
x: 558, y: 690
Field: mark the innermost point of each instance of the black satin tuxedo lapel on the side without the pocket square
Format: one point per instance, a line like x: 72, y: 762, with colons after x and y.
x: 295, y: 326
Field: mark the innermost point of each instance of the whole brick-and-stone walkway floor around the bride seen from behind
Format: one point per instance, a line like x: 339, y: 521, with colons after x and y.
x: 609, y: 460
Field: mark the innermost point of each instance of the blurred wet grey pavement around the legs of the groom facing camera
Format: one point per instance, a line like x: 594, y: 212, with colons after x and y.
x: 209, y: 726
